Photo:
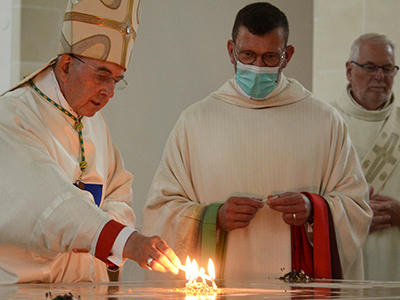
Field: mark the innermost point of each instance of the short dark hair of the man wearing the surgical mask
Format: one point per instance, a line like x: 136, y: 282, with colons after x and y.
x: 260, y: 18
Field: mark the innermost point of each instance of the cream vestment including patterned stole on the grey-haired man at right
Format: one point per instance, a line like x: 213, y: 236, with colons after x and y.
x: 381, y: 250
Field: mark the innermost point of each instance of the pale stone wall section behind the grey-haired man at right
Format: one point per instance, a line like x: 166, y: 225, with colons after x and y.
x: 337, y: 23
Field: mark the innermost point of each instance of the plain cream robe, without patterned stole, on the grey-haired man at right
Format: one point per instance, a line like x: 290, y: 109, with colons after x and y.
x: 382, y: 248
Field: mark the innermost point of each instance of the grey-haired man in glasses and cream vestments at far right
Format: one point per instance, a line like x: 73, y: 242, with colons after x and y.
x: 368, y: 107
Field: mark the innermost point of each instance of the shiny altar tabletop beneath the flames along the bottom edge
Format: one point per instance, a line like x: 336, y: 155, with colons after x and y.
x: 267, y: 289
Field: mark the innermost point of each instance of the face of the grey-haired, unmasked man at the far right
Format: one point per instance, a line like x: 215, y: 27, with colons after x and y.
x: 371, y: 91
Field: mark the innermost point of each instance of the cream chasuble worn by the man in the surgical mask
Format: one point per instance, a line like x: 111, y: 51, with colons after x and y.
x: 229, y: 145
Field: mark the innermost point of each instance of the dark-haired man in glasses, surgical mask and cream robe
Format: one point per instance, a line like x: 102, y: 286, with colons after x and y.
x: 260, y: 175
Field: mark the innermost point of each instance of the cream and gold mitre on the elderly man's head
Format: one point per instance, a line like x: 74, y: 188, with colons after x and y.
x: 101, y: 29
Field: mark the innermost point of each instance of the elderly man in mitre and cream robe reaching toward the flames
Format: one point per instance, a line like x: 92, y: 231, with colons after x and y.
x: 66, y: 200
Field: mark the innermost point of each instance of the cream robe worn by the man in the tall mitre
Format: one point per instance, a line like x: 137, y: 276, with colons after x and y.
x: 43, y: 215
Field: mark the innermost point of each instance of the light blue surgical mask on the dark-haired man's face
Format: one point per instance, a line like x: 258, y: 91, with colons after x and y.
x: 257, y: 82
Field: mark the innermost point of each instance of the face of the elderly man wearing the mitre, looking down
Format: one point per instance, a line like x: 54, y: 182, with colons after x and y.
x: 84, y: 93
